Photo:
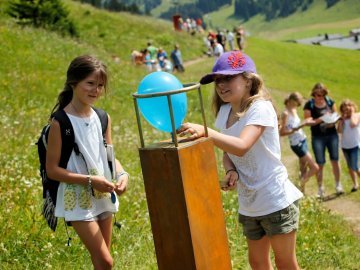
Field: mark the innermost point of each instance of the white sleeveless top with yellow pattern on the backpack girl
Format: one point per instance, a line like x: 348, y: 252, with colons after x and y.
x: 76, y: 202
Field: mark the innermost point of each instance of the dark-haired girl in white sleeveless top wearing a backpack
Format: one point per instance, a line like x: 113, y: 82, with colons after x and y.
x: 84, y: 195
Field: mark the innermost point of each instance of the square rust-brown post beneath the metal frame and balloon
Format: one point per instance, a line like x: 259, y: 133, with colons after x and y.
x: 186, y: 214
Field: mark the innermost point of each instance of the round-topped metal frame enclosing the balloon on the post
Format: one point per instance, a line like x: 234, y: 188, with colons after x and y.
x: 168, y: 94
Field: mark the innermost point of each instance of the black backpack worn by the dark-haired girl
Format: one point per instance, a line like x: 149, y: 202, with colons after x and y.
x: 50, y: 186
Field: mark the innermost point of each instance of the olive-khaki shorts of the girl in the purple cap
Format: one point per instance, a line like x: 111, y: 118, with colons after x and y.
x: 280, y: 222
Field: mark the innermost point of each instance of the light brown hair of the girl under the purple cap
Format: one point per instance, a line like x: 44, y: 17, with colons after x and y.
x: 257, y: 91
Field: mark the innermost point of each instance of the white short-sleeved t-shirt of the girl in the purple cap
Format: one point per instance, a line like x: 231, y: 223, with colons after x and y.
x: 263, y: 186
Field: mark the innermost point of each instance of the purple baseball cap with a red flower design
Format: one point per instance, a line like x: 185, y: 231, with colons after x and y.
x: 230, y: 63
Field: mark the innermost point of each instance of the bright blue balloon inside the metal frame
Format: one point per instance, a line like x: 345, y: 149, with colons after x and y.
x: 156, y: 110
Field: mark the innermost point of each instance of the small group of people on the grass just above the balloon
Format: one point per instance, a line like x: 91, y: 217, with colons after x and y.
x: 157, y: 59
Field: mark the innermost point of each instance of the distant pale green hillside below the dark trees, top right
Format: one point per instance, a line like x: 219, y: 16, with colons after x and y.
x: 317, y: 19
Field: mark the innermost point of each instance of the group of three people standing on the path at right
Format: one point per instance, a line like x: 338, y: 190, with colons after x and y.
x: 320, y: 113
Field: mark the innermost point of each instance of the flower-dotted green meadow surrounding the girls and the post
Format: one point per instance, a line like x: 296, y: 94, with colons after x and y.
x: 32, y: 72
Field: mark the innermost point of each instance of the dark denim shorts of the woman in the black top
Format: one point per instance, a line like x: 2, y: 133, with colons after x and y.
x: 329, y: 142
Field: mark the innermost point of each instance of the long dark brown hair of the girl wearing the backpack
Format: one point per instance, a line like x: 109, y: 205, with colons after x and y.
x: 79, y: 68
